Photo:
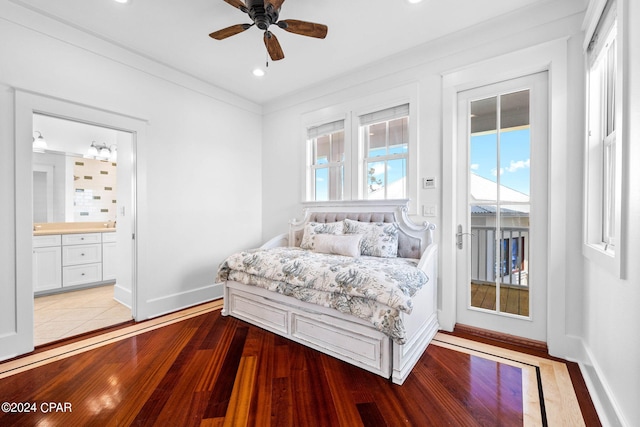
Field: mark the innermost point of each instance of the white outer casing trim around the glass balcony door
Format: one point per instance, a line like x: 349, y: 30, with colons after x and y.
x: 551, y: 57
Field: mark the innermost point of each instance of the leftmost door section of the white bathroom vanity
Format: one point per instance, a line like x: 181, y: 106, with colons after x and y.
x: 47, y: 262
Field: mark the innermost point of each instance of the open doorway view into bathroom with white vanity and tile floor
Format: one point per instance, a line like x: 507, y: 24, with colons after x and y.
x: 82, y: 194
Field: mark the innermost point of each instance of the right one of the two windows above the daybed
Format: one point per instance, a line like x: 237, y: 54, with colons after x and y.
x: 385, y: 147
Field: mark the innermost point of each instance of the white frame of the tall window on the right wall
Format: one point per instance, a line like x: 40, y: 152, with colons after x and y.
x: 603, y: 204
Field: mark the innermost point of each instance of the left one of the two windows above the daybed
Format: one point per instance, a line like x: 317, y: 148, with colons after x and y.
x: 326, y: 165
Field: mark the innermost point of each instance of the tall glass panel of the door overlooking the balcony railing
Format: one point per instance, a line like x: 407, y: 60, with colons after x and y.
x: 499, y: 188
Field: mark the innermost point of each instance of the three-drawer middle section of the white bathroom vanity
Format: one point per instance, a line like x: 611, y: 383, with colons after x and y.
x: 81, y: 258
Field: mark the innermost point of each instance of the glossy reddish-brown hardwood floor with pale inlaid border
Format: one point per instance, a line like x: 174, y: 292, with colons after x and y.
x: 199, y: 368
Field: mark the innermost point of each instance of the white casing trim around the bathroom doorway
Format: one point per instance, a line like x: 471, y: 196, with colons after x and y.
x: 18, y: 307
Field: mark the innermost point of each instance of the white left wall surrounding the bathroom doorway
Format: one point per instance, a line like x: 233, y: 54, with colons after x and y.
x: 198, y: 164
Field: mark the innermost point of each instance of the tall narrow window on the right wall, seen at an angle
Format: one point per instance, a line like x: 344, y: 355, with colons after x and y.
x: 603, y: 157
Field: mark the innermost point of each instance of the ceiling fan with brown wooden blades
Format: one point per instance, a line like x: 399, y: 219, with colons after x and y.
x: 264, y: 13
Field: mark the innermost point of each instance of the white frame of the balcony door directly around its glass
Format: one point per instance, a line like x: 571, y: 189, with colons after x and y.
x: 532, y: 326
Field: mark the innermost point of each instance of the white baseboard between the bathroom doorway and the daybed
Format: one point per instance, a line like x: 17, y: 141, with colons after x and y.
x: 171, y: 303
